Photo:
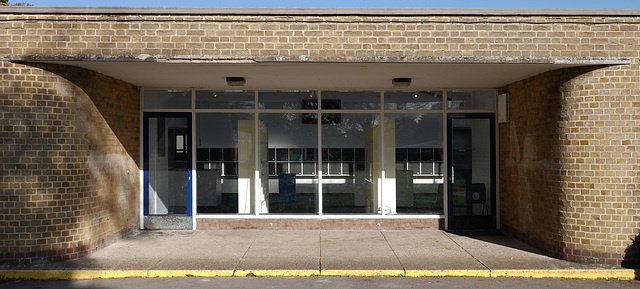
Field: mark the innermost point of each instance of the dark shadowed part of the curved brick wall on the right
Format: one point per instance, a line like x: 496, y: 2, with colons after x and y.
x: 535, y: 184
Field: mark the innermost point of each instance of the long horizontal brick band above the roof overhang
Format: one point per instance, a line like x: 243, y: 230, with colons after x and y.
x: 320, y: 38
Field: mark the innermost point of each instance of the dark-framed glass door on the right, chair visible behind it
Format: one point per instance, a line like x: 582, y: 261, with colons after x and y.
x: 471, y: 166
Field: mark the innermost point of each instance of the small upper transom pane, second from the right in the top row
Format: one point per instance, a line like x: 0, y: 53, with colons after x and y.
x: 413, y: 100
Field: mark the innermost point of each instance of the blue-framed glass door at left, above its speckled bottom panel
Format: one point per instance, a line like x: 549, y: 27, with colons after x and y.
x: 167, y: 164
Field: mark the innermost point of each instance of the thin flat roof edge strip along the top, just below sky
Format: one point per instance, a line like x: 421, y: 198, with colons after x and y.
x: 315, y: 11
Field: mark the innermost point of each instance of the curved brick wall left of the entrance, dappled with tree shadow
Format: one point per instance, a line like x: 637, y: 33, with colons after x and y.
x: 68, y: 178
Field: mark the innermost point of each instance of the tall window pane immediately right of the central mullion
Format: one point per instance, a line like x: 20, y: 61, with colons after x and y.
x: 351, y: 158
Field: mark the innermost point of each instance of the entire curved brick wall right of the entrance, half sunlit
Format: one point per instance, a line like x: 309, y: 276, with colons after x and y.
x: 568, y: 162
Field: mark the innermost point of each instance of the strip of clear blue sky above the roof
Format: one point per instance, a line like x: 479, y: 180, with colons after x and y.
x: 590, y: 4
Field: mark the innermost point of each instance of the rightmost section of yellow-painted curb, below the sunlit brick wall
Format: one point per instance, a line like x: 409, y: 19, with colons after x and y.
x: 568, y: 273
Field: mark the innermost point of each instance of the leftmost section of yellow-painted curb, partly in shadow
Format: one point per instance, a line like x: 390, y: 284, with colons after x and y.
x: 71, y: 274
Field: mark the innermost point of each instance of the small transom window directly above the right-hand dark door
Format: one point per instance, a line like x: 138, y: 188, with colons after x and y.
x: 471, y: 100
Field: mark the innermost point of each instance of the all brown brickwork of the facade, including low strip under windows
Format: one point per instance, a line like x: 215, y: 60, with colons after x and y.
x: 568, y: 157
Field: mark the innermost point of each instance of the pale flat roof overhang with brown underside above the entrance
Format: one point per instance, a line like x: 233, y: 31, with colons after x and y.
x: 426, y: 73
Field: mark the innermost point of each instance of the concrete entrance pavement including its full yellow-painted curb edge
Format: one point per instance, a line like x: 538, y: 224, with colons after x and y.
x: 411, y: 253
